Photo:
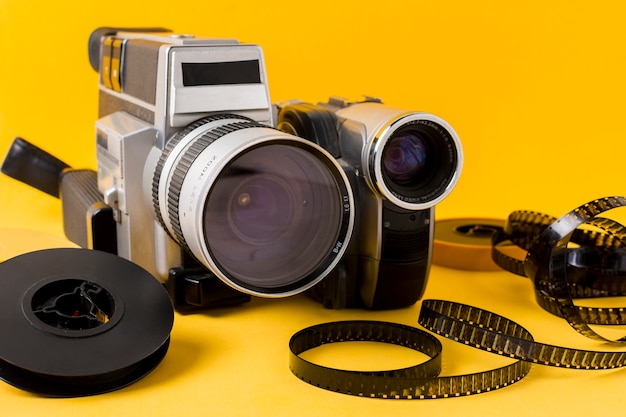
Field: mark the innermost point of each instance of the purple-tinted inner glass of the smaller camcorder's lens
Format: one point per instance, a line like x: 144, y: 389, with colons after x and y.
x: 404, y: 158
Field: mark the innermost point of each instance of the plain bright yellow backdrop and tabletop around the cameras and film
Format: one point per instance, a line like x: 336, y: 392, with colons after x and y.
x: 534, y: 89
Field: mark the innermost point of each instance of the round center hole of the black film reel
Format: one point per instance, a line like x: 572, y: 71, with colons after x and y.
x: 73, y: 304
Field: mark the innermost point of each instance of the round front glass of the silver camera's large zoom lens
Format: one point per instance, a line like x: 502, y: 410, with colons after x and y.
x: 272, y: 217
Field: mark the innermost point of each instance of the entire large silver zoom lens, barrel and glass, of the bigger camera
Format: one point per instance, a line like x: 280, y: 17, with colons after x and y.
x: 267, y: 212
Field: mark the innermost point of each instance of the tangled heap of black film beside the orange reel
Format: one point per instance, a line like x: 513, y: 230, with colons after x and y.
x: 594, y: 268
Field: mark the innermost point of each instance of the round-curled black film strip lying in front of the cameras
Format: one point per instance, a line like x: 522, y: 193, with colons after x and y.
x: 421, y: 381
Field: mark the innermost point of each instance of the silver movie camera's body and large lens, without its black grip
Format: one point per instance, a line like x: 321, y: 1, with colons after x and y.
x: 188, y: 159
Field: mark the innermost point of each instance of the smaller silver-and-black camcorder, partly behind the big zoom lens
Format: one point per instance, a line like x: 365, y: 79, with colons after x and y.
x: 400, y: 164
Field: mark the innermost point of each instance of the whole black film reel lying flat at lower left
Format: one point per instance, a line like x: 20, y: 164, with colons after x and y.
x: 78, y: 322
